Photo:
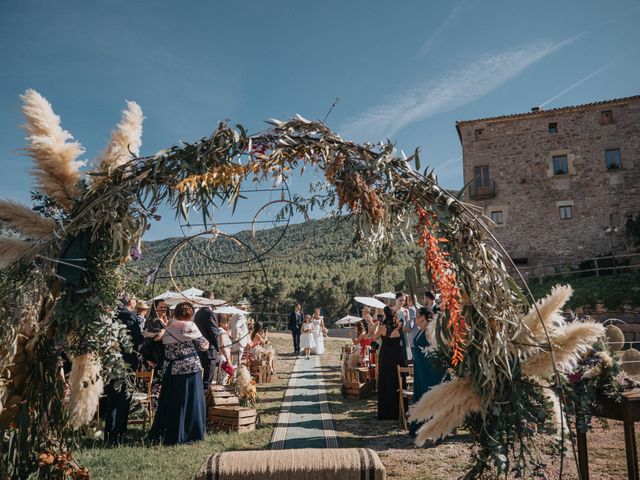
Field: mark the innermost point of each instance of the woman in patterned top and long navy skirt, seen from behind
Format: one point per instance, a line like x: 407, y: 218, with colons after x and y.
x: 181, y: 408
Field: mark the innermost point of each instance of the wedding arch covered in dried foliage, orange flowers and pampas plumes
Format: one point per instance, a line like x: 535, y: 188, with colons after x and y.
x: 58, y: 285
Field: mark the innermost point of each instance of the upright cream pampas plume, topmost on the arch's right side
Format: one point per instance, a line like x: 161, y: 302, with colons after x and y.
x: 549, y: 309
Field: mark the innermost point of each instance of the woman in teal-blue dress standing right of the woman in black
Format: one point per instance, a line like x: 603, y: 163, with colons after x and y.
x: 426, y: 372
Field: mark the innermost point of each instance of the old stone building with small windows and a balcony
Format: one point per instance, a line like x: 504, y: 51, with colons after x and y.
x: 552, y: 181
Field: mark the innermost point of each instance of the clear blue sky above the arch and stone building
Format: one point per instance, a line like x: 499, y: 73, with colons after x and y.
x: 403, y: 70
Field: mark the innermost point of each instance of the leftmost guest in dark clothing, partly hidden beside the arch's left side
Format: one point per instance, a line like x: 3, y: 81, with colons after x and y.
x: 117, y: 401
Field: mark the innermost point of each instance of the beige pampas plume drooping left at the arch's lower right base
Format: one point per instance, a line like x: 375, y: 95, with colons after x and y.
x: 444, y: 407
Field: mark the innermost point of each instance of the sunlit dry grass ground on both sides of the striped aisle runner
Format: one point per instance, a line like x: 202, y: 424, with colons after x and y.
x: 356, y: 425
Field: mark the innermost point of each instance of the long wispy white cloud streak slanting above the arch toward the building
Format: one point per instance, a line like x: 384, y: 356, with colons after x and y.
x: 452, y: 90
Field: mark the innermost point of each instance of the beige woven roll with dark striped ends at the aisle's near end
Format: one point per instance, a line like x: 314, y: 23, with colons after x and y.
x: 294, y: 464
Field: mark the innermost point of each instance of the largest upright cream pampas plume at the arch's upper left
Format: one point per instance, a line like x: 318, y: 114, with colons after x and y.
x: 55, y: 155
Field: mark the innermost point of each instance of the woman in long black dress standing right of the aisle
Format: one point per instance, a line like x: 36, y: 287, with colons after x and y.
x: 390, y: 357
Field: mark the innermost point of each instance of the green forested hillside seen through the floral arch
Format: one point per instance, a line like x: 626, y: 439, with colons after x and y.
x: 326, y: 273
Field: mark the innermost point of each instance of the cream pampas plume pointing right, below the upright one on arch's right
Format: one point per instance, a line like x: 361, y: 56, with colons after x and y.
x: 568, y: 342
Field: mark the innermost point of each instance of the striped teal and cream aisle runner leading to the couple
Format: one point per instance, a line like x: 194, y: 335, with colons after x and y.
x: 305, y: 420
